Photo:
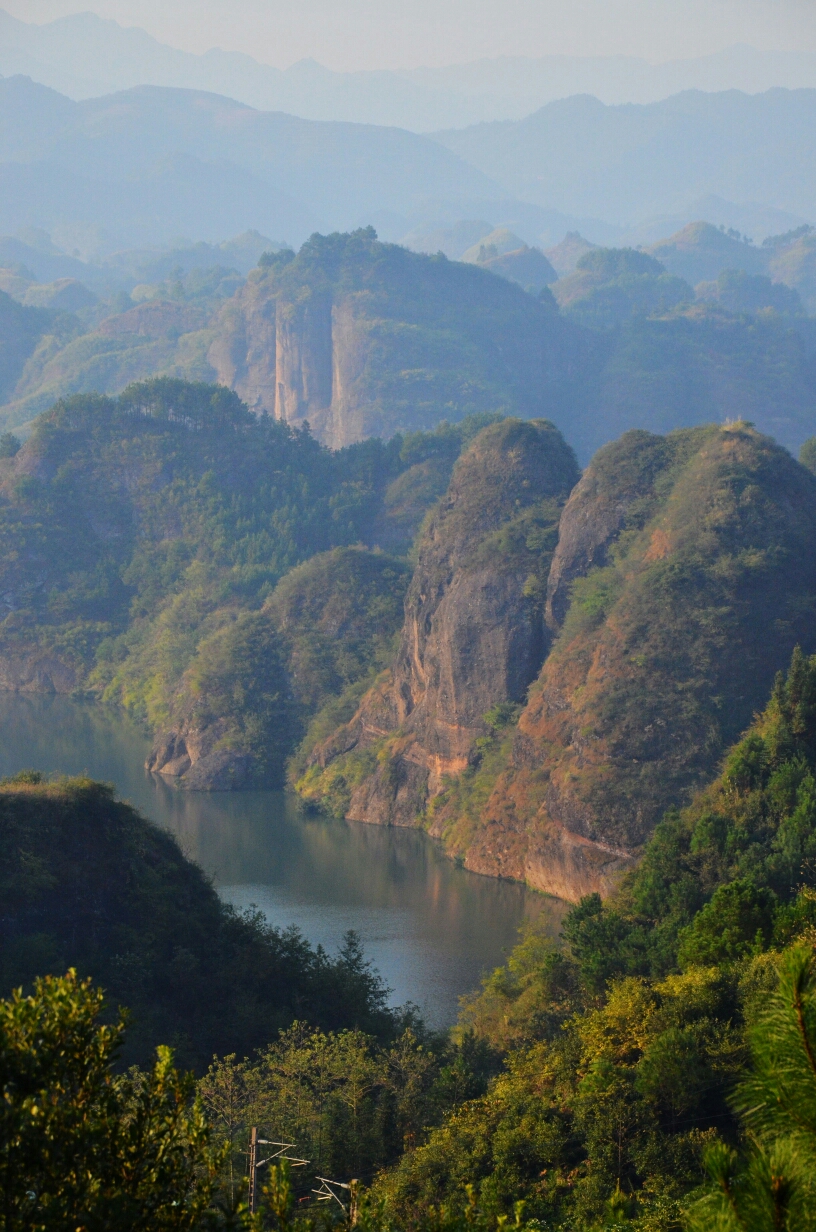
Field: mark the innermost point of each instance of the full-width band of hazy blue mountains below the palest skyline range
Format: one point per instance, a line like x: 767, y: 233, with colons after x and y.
x: 152, y: 164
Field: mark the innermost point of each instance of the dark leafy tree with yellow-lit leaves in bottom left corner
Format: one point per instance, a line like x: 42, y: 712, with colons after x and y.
x: 82, y: 1148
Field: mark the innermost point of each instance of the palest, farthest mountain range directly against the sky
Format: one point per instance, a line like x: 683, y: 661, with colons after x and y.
x: 84, y: 56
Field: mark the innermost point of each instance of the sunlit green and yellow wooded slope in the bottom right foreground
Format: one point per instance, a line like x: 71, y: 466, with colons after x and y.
x: 629, y: 1058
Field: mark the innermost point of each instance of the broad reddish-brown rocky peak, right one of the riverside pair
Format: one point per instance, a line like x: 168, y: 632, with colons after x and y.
x: 693, y: 569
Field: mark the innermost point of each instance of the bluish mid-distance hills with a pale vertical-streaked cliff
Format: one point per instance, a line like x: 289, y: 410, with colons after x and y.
x: 362, y: 338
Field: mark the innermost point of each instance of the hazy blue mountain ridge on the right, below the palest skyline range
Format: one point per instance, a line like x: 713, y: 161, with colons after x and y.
x: 628, y: 163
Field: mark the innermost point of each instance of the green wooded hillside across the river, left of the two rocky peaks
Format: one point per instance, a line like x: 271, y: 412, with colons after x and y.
x: 141, y: 538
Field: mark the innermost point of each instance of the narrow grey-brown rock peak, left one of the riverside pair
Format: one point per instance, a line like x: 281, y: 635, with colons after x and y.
x: 474, y: 634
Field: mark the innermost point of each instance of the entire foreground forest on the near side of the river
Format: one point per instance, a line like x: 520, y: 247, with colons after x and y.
x: 655, y: 1072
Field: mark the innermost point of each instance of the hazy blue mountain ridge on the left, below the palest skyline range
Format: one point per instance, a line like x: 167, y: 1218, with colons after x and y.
x: 152, y: 164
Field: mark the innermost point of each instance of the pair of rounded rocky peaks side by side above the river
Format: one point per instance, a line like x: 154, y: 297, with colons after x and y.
x: 680, y: 580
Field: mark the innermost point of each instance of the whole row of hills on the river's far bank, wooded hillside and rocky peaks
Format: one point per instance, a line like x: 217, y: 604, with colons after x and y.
x: 452, y: 629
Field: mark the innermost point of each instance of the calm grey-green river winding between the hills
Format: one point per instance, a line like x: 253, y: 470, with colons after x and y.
x: 430, y: 927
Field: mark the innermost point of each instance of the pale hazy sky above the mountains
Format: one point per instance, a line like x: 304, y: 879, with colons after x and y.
x: 405, y: 34
